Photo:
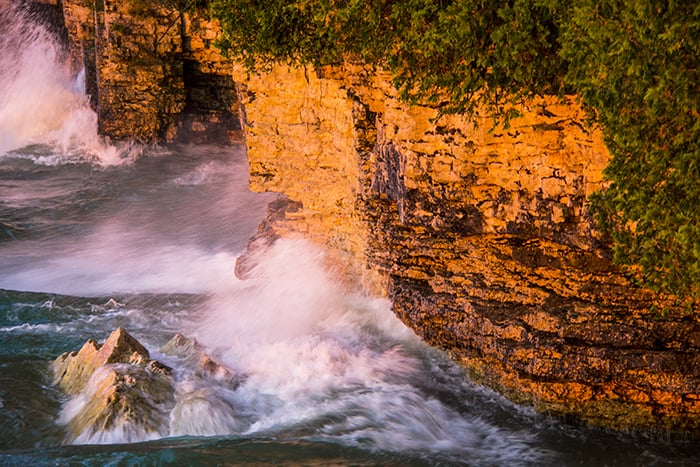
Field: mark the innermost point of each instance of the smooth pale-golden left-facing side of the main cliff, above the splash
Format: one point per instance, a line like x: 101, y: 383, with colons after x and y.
x: 300, y: 134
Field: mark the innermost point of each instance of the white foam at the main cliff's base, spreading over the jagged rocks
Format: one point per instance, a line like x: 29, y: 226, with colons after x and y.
x: 301, y: 358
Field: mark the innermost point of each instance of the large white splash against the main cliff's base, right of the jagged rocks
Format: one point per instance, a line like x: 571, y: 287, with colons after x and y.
x: 323, y: 362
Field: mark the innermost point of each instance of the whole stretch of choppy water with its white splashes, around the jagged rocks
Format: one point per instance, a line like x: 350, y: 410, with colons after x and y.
x: 95, y: 236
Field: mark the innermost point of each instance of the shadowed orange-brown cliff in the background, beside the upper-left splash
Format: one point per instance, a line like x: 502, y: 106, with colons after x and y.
x: 153, y: 74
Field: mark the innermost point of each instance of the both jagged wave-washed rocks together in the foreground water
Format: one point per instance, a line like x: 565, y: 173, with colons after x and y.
x: 118, y: 394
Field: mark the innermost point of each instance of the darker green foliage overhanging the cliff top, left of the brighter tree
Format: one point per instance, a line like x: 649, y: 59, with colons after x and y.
x: 440, y: 52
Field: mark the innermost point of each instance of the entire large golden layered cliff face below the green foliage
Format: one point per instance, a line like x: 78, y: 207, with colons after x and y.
x: 481, y: 237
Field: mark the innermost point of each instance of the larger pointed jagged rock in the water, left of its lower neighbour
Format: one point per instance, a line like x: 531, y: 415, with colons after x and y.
x: 117, y: 391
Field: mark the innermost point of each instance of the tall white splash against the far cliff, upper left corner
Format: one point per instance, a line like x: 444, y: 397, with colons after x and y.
x: 41, y: 103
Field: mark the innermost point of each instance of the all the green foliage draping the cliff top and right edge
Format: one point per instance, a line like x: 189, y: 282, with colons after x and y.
x: 634, y: 62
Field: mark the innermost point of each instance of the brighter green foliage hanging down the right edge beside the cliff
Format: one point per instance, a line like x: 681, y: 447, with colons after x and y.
x: 636, y: 63
